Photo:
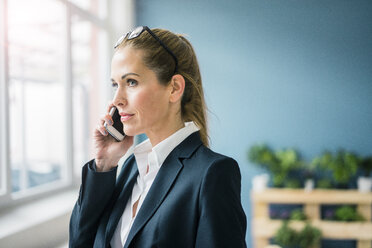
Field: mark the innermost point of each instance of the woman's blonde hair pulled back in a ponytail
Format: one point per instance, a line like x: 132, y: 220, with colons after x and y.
x: 156, y: 58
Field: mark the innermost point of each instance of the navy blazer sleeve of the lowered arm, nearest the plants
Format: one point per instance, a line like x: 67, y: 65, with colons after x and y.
x: 222, y: 221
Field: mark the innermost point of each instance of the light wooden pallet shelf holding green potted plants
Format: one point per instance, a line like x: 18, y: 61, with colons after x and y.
x: 265, y: 228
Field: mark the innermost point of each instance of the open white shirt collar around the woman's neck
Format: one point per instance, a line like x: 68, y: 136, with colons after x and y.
x: 146, y: 154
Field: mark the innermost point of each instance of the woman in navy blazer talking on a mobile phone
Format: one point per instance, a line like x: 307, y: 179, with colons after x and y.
x: 173, y: 191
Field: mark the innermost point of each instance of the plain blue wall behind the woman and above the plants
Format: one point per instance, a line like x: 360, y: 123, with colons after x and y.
x: 289, y: 73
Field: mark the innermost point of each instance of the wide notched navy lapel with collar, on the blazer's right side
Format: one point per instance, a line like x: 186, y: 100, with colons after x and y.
x: 163, y: 182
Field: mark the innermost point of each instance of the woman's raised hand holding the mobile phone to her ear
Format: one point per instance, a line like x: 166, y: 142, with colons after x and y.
x: 107, y: 150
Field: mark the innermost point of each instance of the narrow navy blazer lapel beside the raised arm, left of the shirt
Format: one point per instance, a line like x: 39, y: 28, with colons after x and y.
x: 124, y: 187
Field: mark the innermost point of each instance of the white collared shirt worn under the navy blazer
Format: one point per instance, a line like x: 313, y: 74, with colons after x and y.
x: 145, y: 155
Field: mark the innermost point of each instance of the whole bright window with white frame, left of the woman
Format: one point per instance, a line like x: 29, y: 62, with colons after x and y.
x: 53, y: 61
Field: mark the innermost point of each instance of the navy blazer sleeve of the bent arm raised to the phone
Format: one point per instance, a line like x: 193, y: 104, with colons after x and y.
x: 95, y: 192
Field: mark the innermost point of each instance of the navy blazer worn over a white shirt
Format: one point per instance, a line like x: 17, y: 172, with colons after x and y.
x: 194, y: 201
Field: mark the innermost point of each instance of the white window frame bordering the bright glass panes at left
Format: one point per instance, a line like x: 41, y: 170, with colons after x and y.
x: 7, y: 197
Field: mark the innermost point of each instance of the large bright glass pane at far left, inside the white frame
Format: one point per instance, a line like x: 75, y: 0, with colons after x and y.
x: 36, y: 99
